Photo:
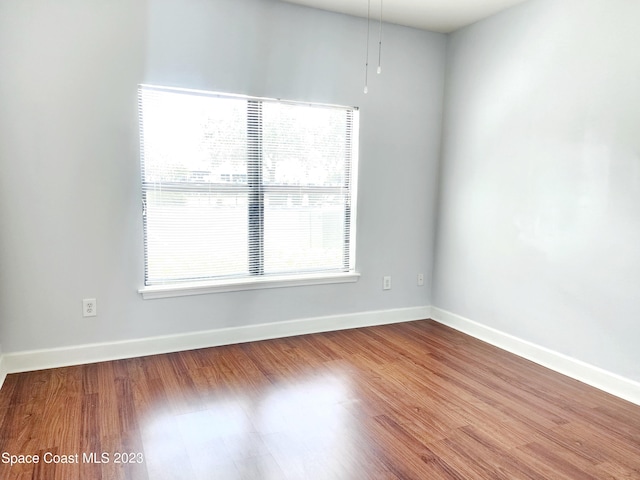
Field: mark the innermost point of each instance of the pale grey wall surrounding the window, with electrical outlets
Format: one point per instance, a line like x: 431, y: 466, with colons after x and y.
x: 69, y: 182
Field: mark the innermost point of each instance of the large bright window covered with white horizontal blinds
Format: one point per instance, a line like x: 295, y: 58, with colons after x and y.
x: 239, y: 190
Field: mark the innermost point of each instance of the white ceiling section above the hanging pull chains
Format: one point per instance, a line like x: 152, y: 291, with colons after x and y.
x: 436, y: 15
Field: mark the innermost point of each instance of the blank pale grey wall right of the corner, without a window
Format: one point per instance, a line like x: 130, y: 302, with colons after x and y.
x: 539, y: 219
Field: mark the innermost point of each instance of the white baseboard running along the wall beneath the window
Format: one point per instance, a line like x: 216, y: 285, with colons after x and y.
x: 99, y: 352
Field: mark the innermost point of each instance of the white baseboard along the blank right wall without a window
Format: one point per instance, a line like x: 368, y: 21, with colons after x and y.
x: 596, y: 377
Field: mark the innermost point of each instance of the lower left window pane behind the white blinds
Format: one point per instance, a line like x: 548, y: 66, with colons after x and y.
x: 190, y: 235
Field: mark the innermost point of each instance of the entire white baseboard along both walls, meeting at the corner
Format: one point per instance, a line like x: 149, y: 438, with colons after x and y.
x: 99, y: 352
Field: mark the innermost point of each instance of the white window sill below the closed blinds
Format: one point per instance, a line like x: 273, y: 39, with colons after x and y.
x: 201, y: 288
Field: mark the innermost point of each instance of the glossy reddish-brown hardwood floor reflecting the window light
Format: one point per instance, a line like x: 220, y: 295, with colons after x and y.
x: 406, y: 401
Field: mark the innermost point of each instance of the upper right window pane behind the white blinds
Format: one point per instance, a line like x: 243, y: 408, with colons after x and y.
x: 304, y: 145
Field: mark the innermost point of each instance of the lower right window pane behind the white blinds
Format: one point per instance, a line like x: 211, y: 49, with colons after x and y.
x: 304, y: 232
